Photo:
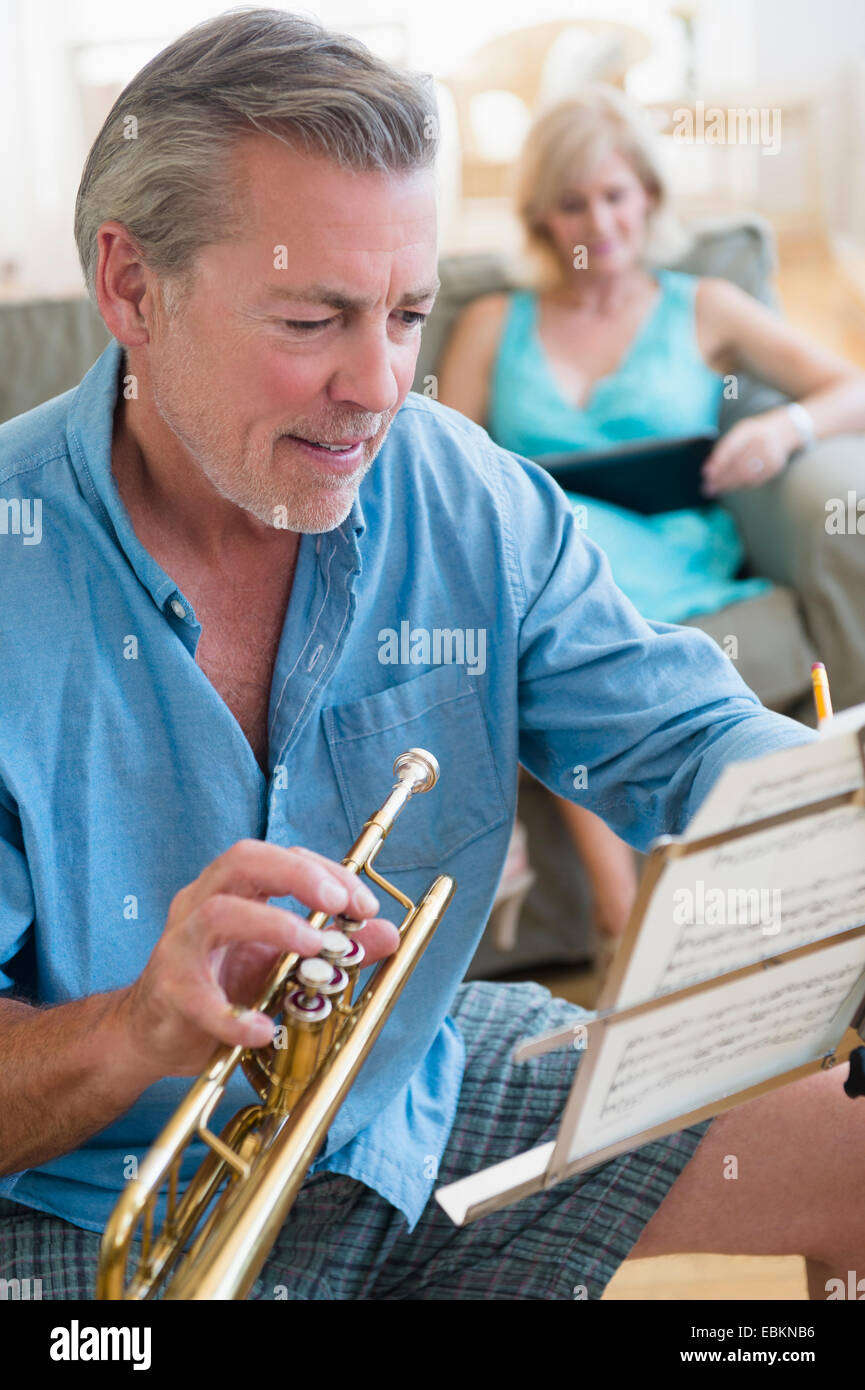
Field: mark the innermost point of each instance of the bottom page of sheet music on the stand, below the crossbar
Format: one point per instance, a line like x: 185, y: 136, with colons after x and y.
x: 677, y: 1058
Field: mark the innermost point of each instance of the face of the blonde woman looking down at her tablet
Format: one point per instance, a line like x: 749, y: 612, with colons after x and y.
x: 606, y: 212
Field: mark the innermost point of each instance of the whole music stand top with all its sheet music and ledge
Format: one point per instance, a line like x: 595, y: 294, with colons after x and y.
x: 711, y: 913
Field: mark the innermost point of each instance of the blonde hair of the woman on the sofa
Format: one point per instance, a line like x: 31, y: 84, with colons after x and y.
x: 572, y: 137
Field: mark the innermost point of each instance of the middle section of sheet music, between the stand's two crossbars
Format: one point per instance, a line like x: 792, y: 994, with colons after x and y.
x: 718, y: 910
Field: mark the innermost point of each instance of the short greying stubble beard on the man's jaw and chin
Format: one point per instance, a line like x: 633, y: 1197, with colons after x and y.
x: 309, y: 504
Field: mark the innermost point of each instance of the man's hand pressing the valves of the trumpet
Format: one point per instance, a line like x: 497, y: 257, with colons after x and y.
x: 220, y: 943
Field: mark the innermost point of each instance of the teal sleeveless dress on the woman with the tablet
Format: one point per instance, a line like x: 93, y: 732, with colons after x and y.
x: 675, y: 565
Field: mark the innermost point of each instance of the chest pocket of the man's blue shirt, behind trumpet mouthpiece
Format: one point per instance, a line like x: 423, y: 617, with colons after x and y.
x: 442, y: 712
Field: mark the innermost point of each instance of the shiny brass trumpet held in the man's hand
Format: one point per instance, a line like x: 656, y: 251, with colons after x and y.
x: 233, y: 1209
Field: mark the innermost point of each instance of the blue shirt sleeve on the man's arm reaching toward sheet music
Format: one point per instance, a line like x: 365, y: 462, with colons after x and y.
x: 632, y: 719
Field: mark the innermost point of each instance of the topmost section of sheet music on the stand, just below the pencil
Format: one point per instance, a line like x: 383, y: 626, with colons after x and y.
x: 785, y: 780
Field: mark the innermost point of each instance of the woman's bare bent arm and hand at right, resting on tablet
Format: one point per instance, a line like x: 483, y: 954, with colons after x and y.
x: 735, y: 334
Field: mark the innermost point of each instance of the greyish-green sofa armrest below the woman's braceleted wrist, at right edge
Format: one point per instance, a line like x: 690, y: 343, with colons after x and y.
x: 789, y: 537
